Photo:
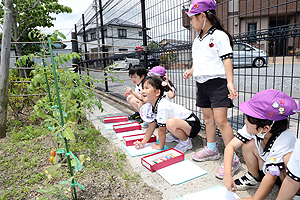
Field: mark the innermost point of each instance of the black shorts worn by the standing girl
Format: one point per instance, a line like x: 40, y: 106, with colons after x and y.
x: 213, y: 94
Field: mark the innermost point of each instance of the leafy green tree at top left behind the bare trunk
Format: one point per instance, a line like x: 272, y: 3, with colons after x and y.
x: 30, y: 14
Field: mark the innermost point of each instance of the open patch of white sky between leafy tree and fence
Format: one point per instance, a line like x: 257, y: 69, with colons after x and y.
x: 65, y: 22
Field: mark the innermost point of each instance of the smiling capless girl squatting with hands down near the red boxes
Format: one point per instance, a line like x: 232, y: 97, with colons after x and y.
x: 182, y: 123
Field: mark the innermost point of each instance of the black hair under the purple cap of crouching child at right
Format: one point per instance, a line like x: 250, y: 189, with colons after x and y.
x: 277, y: 128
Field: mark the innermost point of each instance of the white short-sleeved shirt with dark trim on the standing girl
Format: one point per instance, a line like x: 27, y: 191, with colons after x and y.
x: 208, y: 54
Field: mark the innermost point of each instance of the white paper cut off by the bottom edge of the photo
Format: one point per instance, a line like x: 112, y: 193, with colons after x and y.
x: 216, y: 193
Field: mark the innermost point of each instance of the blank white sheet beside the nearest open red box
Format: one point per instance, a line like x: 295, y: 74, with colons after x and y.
x: 181, y: 172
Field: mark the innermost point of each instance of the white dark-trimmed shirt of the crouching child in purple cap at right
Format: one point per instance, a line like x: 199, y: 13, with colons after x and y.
x: 276, y: 147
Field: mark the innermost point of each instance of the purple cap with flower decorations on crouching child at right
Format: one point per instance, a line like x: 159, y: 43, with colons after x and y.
x: 269, y: 104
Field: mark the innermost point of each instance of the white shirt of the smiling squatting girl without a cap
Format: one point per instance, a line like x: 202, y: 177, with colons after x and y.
x: 164, y: 110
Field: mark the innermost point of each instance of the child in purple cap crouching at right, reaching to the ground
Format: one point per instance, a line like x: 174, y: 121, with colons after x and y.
x: 266, y: 142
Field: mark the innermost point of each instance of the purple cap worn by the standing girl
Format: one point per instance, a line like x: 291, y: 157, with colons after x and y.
x: 200, y: 6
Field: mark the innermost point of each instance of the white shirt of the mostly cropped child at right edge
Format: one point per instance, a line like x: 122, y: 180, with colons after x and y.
x: 293, y: 166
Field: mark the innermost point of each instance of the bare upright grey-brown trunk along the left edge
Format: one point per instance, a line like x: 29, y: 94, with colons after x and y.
x: 4, y: 66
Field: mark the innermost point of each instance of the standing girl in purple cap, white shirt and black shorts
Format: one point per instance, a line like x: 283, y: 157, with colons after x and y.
x: 212, y: 69
